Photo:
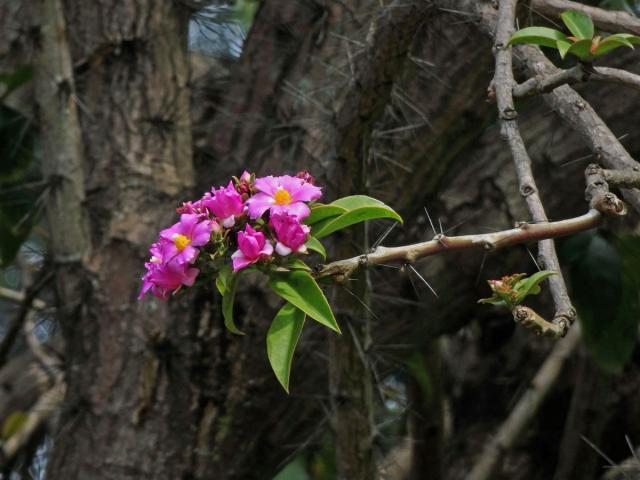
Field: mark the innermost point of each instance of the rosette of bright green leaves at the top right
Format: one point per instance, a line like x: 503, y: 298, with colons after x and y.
x: 583, y: 43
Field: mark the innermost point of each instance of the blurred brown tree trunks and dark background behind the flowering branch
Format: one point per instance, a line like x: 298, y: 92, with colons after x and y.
x: 160, y: 101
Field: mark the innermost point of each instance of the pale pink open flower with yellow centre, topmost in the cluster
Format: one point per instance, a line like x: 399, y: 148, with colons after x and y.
x: 284, y: 194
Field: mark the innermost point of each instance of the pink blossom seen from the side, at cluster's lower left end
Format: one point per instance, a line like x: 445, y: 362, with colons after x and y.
x: 163, y: 275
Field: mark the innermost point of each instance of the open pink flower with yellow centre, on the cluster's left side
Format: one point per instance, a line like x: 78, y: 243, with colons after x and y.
x: 190, y: 232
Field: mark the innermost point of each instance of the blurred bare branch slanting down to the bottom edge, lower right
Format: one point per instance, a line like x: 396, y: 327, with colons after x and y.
x: 526, y: 408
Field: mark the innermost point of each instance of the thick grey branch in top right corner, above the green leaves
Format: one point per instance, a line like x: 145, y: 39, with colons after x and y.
x: 610, y: 20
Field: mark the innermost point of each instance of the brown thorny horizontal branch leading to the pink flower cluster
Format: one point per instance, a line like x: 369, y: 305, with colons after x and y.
x: 341, y: 270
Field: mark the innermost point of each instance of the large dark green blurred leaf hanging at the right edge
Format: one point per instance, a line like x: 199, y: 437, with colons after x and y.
x: 605, y: 288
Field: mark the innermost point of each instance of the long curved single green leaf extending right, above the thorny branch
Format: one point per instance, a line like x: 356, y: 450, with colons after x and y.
x: 358, y: 209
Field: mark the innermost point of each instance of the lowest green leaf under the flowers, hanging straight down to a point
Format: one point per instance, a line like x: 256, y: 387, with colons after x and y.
x: 282, y: 338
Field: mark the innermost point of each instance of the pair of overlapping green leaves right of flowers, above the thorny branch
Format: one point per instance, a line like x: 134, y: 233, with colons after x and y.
x: 347, y: 211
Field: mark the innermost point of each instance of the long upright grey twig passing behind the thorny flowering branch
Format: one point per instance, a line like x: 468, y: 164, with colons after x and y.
x: 503, y: 82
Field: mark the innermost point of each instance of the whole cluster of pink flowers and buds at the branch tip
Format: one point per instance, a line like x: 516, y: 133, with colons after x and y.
x: 251, y: 217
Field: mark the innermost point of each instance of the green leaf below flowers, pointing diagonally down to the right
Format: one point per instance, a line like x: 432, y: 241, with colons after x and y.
x: 300, y: 289
